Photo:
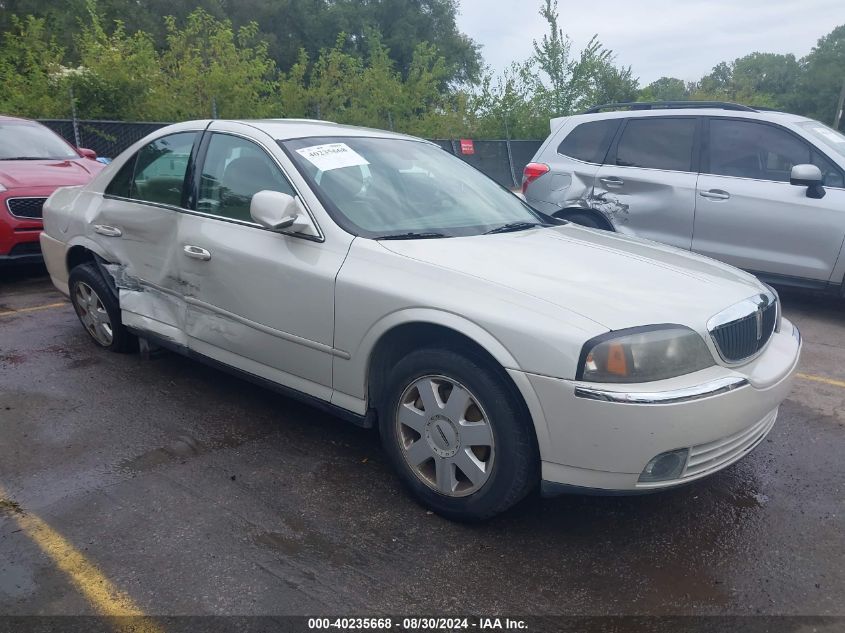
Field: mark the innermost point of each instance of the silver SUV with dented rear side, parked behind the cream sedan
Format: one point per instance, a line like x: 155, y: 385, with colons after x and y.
x: 759, y: 189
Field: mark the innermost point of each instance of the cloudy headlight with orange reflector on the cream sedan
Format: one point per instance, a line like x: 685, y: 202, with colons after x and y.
x: 644, y: 354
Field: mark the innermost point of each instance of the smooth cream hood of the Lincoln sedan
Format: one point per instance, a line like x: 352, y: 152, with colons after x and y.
x: 616, y: 281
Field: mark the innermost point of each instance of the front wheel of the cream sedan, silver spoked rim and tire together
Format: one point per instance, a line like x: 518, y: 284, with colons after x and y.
x: 458, y: 435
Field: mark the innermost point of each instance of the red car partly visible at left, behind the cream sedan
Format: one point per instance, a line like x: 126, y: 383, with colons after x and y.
x: 34, y: 162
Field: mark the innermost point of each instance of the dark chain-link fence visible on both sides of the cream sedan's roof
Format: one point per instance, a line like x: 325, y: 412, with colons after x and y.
x: 502, y: 160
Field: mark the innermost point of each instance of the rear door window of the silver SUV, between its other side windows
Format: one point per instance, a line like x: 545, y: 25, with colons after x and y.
x: 657, y: 144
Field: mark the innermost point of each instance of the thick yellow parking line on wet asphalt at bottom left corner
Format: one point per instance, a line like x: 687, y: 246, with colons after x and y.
x: 106, y: 599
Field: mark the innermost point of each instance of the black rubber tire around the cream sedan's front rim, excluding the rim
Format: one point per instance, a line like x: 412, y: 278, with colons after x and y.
x: 515, y: 469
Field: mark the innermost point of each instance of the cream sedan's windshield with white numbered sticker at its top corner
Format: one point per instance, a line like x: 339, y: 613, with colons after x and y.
x: 384, y: 187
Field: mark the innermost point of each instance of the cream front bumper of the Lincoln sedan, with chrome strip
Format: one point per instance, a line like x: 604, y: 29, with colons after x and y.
x: 599, y: 438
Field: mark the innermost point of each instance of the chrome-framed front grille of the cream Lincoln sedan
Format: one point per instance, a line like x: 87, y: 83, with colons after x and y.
x: 743, y: 330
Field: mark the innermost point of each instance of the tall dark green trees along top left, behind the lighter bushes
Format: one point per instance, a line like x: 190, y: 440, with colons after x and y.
x: 285, y: 25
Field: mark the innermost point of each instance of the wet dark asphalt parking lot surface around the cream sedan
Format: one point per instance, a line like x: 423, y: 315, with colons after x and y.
x: 179, y: 489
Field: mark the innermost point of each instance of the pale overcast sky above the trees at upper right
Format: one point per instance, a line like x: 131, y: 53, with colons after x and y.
x: 676, y: 38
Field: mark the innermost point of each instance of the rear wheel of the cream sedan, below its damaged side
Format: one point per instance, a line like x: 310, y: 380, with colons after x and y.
x: 98, y: 309
